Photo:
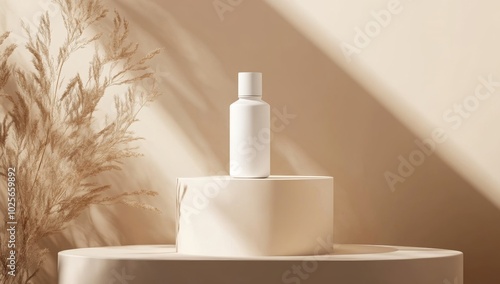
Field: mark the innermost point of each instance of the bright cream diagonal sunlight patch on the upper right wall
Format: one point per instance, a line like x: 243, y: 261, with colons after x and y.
x: 419, y: 60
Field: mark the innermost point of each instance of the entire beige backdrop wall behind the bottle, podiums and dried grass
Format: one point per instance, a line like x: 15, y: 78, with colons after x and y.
x: 351, y: 119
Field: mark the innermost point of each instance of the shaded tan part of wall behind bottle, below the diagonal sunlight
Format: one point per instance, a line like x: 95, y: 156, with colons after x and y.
x: 334, y: 127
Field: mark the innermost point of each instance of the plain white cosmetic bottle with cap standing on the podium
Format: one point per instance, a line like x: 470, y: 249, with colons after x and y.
x: 249, y: 130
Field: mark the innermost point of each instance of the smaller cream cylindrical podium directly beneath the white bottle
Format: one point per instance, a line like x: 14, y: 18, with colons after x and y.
x: 278, y: 215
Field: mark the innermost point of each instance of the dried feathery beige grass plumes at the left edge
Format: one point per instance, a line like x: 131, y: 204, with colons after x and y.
x: 49, y: 137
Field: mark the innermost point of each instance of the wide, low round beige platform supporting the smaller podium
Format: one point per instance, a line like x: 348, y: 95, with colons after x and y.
x: 349, y: 264
